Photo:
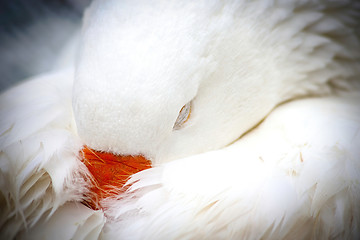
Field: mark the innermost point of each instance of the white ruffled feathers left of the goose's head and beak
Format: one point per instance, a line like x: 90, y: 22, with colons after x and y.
x: 39, y: 166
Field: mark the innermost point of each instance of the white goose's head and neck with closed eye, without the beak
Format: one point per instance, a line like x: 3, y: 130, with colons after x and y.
x: 170, y: 79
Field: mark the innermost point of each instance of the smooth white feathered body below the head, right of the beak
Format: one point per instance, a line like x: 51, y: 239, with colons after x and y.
x: 294, y: 177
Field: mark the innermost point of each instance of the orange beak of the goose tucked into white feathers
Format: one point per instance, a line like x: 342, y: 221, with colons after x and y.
x: 110, y: 173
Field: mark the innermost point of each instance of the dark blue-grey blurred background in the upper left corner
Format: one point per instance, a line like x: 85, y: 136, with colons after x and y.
x: 32, y: 32
